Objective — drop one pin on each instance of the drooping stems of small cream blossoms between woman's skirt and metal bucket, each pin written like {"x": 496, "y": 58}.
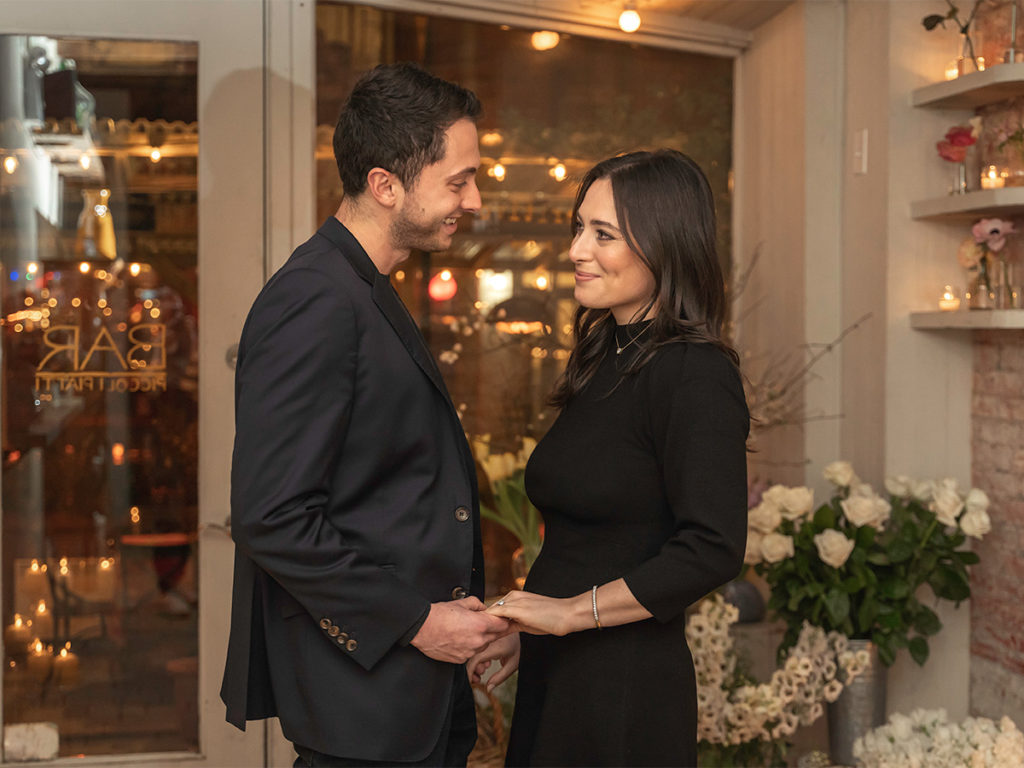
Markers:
{"x": 735, "y": 711}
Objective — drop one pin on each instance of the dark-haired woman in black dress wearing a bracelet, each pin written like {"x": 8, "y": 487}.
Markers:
{"x": 642, "y": 481}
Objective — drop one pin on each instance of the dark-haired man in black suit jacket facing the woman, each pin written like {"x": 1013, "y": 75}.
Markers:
{"x": 359, "y": 569}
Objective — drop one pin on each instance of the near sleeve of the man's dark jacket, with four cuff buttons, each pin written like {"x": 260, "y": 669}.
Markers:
{"x": 294, "y": 394}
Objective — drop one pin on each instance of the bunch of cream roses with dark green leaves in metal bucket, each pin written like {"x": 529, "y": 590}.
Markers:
{"x": 857, "y": 563}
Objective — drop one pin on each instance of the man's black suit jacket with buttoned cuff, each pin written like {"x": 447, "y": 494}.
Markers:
{"x": 354, "y": 507}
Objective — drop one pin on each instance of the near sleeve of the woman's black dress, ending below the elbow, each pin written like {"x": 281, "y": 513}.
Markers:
{"x": 699, "y": 423}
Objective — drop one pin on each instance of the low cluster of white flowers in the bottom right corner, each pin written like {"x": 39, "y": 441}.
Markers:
{"x": 926, "y": 740}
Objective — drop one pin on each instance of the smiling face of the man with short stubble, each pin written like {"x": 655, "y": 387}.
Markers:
{"x": 428, "y": 218}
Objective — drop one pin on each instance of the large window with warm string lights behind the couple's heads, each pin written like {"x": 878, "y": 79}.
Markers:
{"x": 497, "y": 308}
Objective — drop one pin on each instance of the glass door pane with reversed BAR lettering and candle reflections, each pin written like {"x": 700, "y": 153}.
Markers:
{"x": 99, "y": 234}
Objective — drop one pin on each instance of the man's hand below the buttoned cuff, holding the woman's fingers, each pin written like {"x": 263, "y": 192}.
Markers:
{"x": 457, "y": 630}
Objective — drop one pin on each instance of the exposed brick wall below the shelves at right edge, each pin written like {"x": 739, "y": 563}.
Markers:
{"x": 998, "y": 582}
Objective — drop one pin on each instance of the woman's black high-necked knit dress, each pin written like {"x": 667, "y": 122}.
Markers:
{"x": 647, "y": 481}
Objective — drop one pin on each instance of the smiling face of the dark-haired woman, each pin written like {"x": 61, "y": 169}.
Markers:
{"x": 609, "y": 275}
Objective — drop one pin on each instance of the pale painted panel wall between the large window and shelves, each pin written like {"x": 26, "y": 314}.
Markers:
{"x": 838, "y": 245}
